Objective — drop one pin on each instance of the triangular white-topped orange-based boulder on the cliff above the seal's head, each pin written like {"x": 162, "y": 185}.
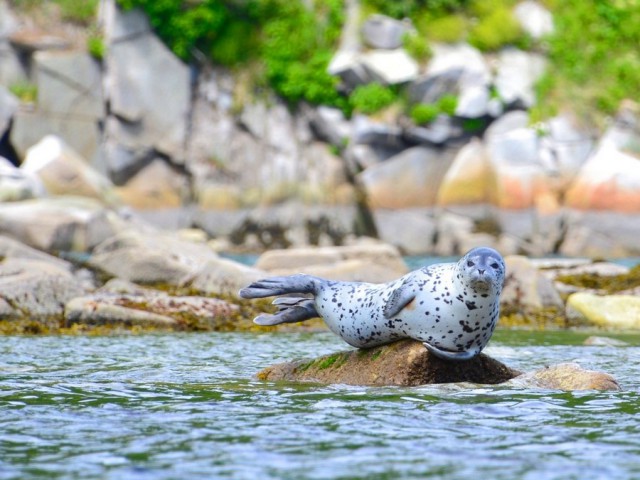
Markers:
{"x": 469, "y": 178}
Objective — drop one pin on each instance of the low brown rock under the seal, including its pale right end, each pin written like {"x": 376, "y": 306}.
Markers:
{"x": 407, "y": 363}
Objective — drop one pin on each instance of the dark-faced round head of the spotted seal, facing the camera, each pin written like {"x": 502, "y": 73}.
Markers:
{"x": 483, "y": 269}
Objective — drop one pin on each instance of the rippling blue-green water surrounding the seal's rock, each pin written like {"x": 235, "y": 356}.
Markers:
{"x": 187, "y": 406}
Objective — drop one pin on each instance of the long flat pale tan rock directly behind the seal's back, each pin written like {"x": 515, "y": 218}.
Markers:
{"x": 375, "y": 263}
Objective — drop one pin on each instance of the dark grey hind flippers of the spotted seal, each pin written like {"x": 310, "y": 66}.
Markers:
{"x": 290, "y": 309}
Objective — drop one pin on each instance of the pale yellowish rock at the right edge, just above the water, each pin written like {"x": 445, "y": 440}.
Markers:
{"x": 611, "y": 311}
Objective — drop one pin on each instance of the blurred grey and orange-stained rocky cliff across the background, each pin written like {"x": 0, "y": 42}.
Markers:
{"x": 186, "y": 145}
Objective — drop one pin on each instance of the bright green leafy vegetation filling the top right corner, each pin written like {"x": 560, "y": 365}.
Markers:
{"x": 594, "y": 58}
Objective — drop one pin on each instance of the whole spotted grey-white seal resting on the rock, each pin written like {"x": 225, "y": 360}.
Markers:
{"x": 452, "y": 308}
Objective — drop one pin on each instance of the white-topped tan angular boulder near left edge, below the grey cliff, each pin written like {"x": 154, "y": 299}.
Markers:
{"x": 64, "y": 172}
